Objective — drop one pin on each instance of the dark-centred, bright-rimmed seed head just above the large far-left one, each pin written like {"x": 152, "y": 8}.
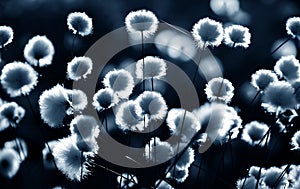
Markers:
{"x": 39, "y": 51}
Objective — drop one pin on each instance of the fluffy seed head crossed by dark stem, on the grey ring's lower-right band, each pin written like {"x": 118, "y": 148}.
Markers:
{"x": 183, "y": 124}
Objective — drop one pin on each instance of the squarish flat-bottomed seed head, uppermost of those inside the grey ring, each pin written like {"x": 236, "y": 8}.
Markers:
{"x": 154, "y": 67}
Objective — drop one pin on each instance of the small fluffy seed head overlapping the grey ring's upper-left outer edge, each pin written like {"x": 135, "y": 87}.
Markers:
{"x": 79, "y": 68}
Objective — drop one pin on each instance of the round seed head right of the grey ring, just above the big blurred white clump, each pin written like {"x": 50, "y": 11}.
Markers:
{"x": 219, "y": 89}
